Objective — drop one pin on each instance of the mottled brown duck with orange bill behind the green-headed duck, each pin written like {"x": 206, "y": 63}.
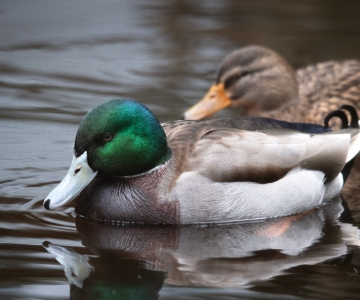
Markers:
{"x": 261, "y": 83}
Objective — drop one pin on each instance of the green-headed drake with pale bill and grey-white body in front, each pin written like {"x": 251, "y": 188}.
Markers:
{"x": 127, "y": 167}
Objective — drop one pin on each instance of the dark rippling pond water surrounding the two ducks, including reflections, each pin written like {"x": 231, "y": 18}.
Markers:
{"x": 60, "y": 59}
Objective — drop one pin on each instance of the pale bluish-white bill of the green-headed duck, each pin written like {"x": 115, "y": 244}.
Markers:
{"x": 76, "y": 179}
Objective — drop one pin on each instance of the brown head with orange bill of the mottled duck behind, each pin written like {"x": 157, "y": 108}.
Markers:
{"x": 253, "y": 78}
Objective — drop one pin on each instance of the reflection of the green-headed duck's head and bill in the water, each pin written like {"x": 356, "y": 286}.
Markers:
{"x": 113, "y": 276}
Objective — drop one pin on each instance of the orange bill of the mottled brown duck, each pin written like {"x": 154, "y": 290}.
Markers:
{"x": 214, "y": 101}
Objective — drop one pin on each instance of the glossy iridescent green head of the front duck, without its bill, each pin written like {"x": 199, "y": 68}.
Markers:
{"x": 121, "y": 137}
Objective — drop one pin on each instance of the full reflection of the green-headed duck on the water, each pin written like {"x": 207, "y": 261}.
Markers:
{"x": 133, "y": 262}
